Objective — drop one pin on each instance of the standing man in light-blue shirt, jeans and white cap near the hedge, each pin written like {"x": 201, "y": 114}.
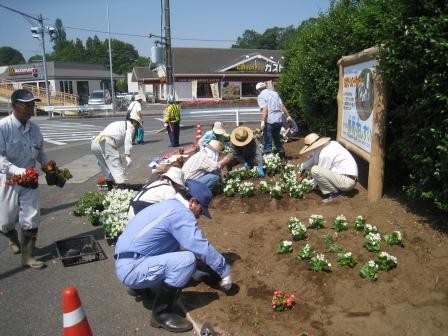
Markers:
{"x": 272, "y": 110}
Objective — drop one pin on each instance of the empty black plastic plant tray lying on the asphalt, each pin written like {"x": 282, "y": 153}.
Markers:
{"x": 79, "y": 250}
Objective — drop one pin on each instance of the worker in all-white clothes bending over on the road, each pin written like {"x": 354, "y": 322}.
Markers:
{"x": 105, "y": 147}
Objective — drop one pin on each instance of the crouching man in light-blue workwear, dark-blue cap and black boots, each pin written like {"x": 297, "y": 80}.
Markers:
{"x": 148, "y": 253}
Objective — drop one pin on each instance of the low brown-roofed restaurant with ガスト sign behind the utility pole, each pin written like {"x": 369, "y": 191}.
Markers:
{"x": 209, "y": 73}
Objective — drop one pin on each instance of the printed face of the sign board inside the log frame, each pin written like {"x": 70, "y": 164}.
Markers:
{"x": 357, "y": 104}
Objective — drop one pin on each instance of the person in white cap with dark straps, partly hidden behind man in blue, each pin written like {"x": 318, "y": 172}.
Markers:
{"x": 166, "y": 187}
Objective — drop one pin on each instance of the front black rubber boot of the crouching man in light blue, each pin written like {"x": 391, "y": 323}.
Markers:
{"x": 162, "y": 311}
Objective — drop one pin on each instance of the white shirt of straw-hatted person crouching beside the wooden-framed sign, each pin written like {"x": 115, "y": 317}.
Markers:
{"x": 336, "y": 158}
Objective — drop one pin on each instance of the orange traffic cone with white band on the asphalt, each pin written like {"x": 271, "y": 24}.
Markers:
{"x": 75, "y": 320}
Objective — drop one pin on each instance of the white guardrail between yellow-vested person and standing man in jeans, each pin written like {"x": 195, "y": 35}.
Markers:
{"x": 250, "y": 113}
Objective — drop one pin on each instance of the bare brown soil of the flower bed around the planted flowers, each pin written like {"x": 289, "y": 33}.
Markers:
{"x": 411, "y": 299}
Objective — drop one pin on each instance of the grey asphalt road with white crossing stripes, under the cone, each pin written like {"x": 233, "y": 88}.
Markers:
{"x": 31, "y": 300}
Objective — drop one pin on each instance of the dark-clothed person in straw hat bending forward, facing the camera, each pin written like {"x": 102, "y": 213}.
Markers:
{"x": 245, "y": 149}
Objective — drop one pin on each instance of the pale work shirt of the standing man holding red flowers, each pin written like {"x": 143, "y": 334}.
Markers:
{"x": 20, "y": 147}
